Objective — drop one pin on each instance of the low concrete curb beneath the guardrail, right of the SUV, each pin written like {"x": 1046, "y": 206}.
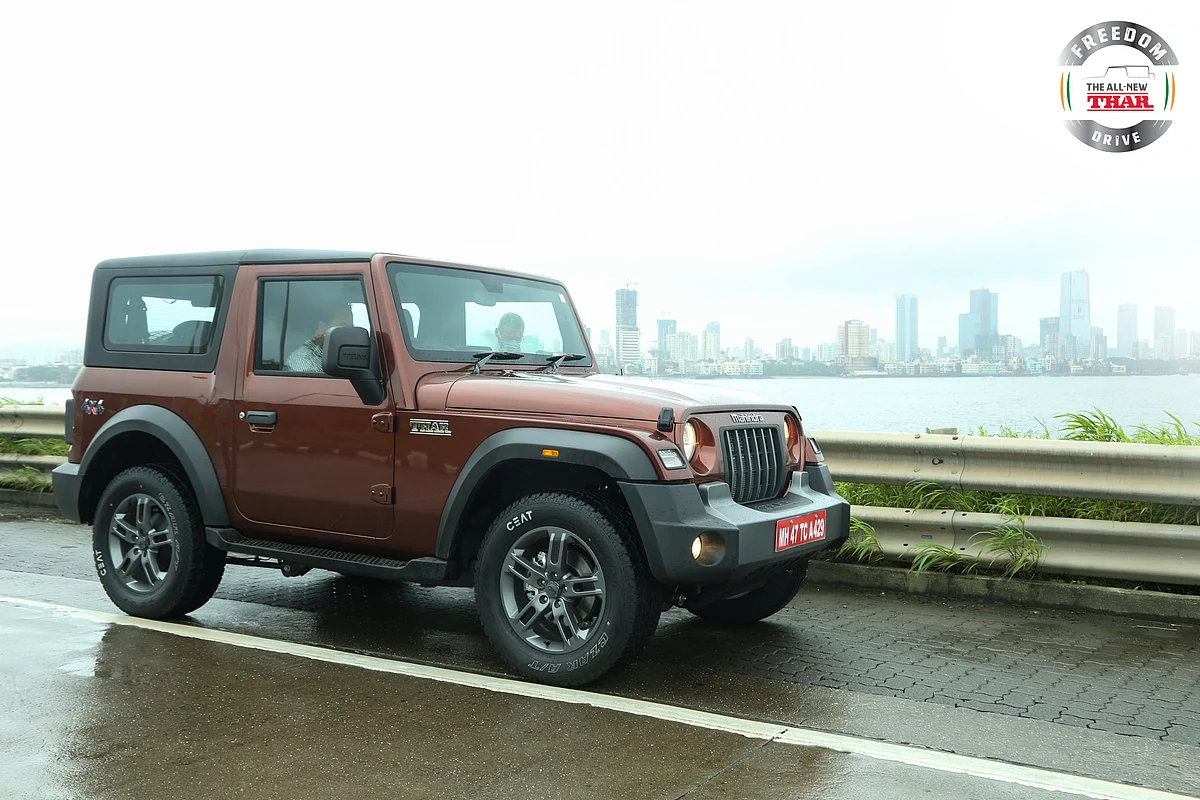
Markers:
{"x": 1040, "y": 594}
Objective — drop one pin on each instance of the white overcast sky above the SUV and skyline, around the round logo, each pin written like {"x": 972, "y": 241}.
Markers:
{"x": 778, "y": 167}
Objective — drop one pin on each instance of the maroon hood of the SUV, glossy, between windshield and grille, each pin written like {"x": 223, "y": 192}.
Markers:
{"x": 610, "y": 396}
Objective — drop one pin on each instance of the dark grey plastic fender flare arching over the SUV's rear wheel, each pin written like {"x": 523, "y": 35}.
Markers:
{"x": 179, "y": 437}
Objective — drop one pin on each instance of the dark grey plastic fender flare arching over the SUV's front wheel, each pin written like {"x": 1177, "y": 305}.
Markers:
{"x": 620, "y": 459}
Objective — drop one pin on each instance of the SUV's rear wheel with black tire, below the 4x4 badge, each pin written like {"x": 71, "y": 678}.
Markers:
{"x": 187, "y": 570}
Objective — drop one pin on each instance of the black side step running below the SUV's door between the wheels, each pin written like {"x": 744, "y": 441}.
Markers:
{"x": 423, "y": 570}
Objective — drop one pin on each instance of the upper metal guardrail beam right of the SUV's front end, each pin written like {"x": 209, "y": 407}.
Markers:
{"x": 1049, "y": 467}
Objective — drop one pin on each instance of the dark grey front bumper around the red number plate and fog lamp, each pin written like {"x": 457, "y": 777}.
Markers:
{"x": 671, "y": 516}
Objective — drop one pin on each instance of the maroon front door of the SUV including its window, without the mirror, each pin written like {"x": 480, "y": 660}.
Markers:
{"x": 310, "y": 461}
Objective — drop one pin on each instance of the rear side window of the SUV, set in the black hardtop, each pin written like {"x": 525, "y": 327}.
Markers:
{"x": 149, "y": 315}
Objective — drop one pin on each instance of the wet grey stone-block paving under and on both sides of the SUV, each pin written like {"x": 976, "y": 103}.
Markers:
{"x": 1129, "y": 677}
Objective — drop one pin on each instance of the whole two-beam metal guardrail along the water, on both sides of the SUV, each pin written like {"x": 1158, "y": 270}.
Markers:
{"x": 1057, "y": 468}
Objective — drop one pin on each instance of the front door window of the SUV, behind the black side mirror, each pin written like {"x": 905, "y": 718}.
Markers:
{"x": 295, "y": 315}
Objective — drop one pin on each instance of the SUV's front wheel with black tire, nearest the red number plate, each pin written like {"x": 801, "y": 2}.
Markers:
{"x": 601, "y": 555}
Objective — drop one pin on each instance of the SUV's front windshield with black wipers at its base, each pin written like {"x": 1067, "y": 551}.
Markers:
{"x": 451, "y": 315}
